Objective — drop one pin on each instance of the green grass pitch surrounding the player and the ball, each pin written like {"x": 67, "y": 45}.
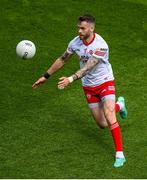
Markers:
{"x": 49, "y": 133}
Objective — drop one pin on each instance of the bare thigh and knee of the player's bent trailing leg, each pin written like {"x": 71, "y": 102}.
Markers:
{"x": 99, "y": 117}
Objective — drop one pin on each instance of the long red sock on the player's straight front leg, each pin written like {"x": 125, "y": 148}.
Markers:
{"x": 116, "y": 134}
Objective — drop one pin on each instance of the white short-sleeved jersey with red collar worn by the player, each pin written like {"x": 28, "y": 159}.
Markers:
{"x": 97, "y": 48}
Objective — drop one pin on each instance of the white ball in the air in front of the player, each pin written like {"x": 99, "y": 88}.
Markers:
{"x": 25, "y": 49}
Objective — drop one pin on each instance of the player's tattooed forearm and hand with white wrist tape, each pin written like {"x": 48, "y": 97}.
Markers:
{"x": 65, "y": 81}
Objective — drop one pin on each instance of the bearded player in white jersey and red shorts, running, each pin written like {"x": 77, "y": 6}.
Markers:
{"x": 97, "y": 80}
